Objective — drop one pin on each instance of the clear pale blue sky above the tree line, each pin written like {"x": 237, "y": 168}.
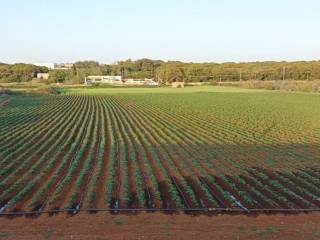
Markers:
{"x": 40, "y": 31}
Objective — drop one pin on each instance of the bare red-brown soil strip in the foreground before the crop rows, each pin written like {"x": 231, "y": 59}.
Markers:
{"x": 163, "y": 226}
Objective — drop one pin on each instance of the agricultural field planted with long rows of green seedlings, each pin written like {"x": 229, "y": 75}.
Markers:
{"x": 204, "y": 148}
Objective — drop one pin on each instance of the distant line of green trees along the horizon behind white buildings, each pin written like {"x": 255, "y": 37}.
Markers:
{"x": 171, "y": 71}
